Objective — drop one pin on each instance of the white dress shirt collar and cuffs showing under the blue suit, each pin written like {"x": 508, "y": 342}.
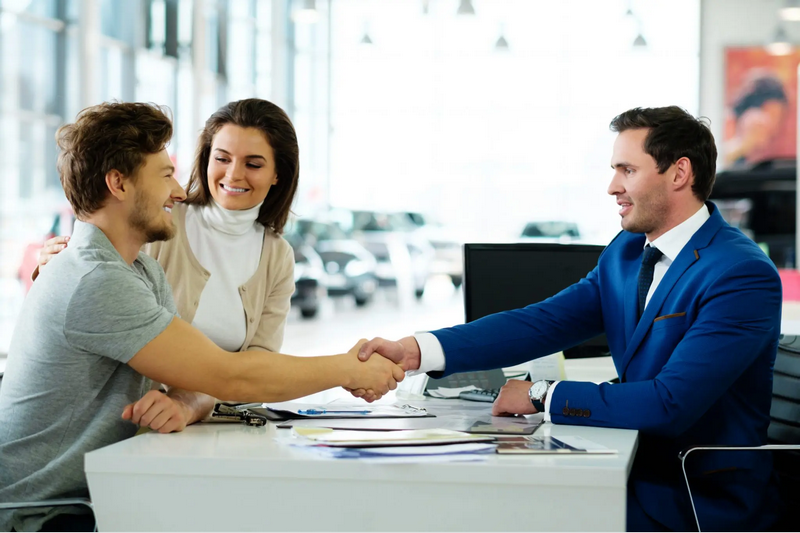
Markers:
{"x": 671, "y": 243}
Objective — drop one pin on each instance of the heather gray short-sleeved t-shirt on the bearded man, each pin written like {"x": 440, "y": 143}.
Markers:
{"x": 67, "y": 381}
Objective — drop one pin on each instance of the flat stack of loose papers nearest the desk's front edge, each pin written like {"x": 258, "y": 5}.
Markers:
{"x": 307, "y": 436}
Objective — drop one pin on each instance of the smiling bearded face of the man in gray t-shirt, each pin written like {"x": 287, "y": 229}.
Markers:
{"x": 156, "y": 191}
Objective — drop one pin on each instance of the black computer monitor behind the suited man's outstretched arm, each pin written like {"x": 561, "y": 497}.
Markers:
{"x": 501, "y": 277}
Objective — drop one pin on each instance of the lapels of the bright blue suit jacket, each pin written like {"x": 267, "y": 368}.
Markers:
{"x": 688, "y": 256}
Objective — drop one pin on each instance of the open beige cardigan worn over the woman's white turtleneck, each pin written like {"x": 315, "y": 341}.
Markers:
{"x": 265, "y": 296}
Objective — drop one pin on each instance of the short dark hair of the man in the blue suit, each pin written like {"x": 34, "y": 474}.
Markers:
{"x": 673, "y": 134}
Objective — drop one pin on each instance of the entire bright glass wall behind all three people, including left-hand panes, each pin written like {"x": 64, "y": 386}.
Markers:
{"x": 485, "y": 121}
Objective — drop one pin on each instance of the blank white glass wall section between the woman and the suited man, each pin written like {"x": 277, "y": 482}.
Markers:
{"x": 429, "y": 113}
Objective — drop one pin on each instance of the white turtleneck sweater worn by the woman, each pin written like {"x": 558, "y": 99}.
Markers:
{"x": 228, "y": 245}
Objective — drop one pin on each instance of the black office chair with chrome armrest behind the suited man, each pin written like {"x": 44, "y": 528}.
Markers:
{"x": 783, "y": 433}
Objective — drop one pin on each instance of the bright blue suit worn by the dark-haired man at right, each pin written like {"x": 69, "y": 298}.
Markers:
{"x": 696, "y": 369}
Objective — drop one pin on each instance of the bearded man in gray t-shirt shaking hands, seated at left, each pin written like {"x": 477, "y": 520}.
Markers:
{"x": 100, "y": 318}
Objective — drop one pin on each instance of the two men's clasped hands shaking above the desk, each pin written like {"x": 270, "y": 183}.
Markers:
{"x": 372, "y": 377}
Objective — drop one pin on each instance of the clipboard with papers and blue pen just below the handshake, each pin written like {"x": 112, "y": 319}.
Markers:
{"x": 294, "y": 410}
